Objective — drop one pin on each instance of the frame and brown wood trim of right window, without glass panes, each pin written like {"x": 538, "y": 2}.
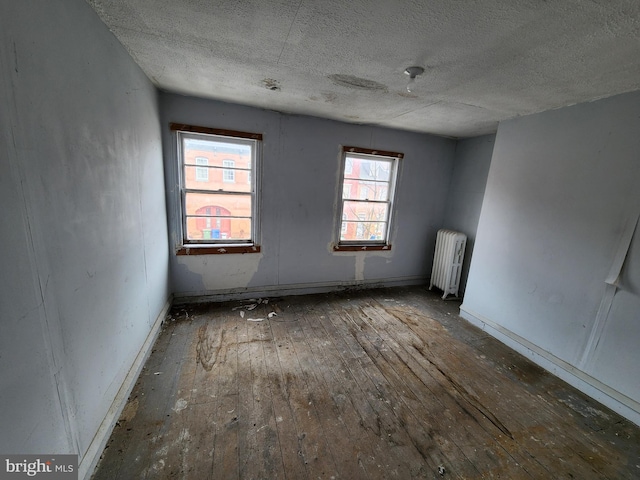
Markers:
{"x": 346, "y": 169}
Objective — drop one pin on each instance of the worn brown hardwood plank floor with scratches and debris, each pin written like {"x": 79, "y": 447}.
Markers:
{"x": 370, "y": 384}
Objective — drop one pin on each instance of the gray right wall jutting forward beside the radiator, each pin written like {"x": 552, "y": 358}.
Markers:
{"x": 562, "y": 193}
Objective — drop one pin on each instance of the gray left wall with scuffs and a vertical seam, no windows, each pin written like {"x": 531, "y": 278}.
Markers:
{"x": 83, "y": 230}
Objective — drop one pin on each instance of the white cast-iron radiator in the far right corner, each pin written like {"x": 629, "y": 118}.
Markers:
{"x": 447, "y": 261}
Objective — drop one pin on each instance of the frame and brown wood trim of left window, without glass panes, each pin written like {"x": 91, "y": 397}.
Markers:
{"x": 232, "y": 137}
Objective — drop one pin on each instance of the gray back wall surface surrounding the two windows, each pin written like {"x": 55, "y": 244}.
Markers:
{"x": 300, "y": 173}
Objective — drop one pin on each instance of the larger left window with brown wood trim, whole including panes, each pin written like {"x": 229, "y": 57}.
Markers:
{"x": 217, "y": 211}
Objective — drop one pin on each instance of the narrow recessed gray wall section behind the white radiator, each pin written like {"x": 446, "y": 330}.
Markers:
{"x": 470, "y": 171}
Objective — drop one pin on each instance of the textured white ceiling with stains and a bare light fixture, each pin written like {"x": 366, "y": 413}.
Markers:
{"x": 485, "y": 60}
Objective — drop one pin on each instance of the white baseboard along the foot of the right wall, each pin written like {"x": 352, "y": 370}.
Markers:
{"x": 594, "y": 388}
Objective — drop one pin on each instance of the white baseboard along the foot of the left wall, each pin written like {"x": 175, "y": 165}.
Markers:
{"x": 91, "y": 457}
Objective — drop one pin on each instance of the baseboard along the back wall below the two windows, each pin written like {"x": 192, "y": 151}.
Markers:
{"x": 293, "y": 289}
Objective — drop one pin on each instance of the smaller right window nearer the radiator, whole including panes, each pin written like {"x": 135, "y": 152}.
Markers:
{"x": 366, "y": 198}
